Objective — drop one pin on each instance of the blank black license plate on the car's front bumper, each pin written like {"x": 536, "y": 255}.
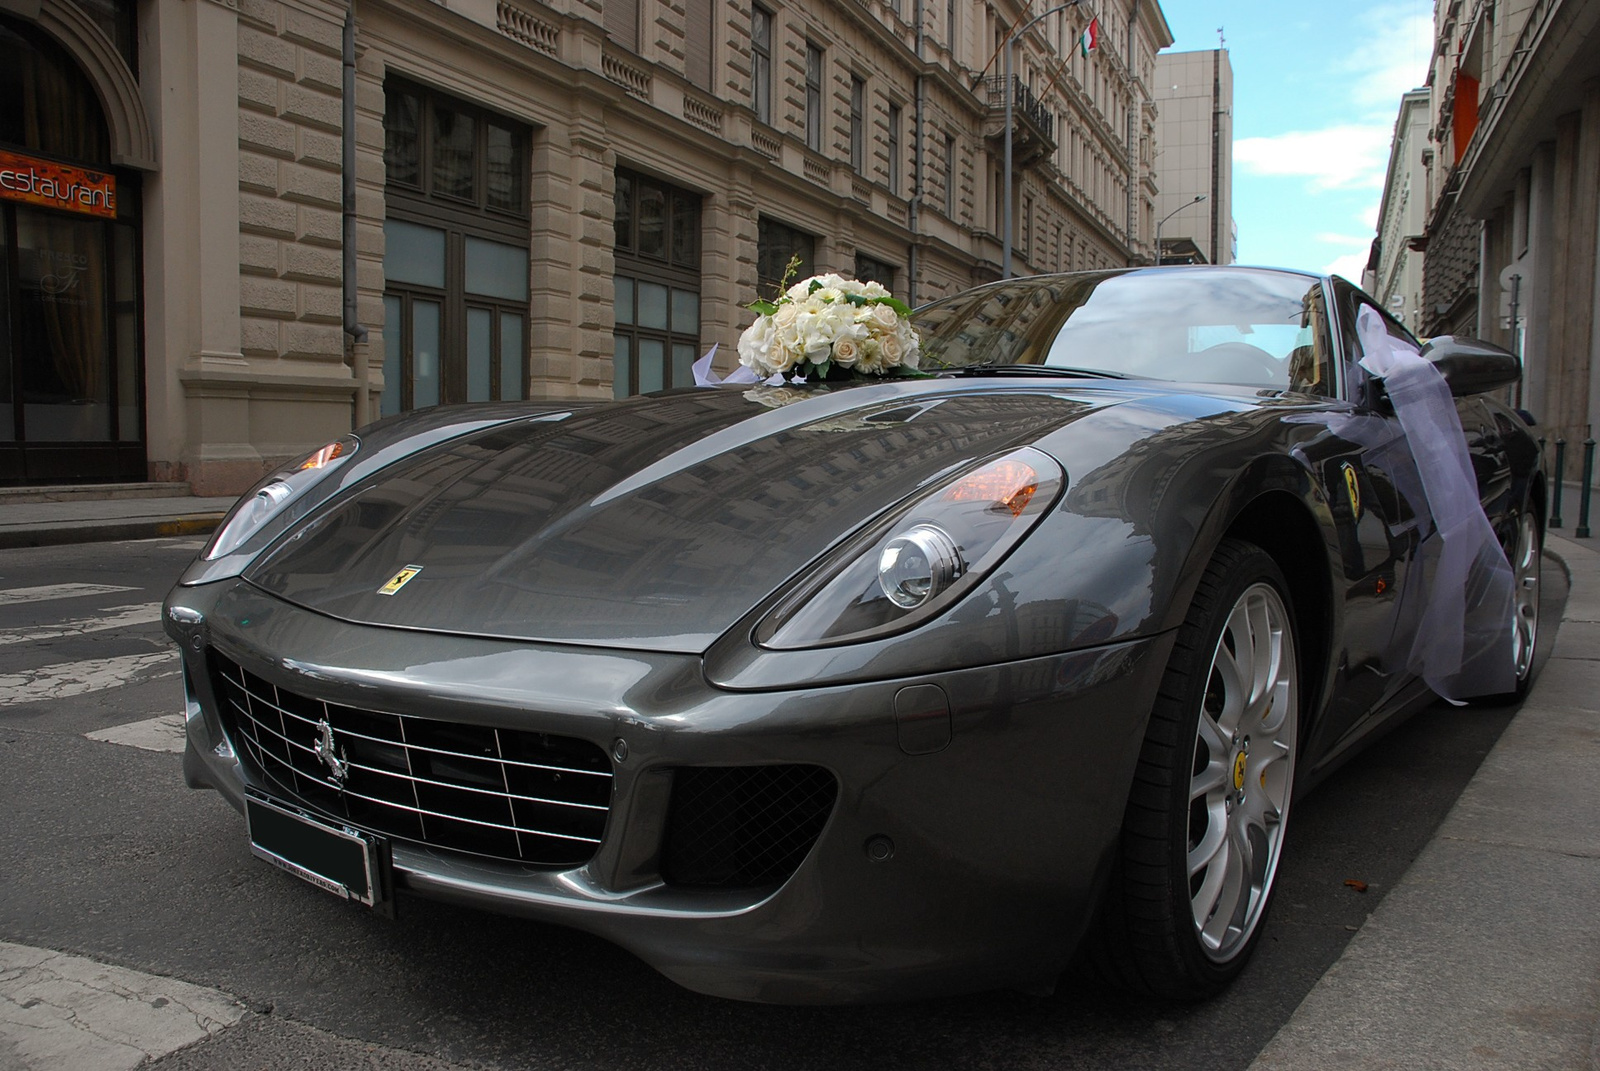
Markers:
{"x": 345, "y": 862}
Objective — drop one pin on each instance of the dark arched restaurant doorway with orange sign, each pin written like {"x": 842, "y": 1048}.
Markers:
{"x": 71, "y": 363}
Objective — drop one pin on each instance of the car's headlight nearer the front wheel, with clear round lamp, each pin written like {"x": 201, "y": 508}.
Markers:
{"x": 921, "y": 560}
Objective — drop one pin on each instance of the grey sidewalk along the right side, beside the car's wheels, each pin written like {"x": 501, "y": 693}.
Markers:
{"x": 1487, "y": 955}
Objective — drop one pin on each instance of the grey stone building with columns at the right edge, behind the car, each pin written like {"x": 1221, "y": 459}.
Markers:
{"x": 1514, "y": 199}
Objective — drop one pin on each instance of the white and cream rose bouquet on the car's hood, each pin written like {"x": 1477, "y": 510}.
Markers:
{"x": 830, "y": 327}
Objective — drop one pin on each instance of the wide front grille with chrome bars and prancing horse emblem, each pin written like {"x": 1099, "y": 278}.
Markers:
{"x": 510, "y": 795}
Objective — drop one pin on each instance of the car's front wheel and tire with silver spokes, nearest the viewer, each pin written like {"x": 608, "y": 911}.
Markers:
{"x": 1209, "y": 808}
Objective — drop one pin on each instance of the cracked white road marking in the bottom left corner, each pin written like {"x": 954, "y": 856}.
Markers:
{"x": 62, "y": 1011}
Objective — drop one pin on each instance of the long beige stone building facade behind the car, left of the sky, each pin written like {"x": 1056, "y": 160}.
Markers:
{"x": 567, "y": 199}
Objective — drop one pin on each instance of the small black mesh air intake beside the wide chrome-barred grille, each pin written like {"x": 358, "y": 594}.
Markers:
{"x": 745, "y": 827}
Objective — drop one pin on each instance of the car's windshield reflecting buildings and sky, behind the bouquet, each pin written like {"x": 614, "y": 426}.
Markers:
{"x": 1252, "y": 327}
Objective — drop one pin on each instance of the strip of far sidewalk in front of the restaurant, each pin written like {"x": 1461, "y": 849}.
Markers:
{"x": 92, "y": 518}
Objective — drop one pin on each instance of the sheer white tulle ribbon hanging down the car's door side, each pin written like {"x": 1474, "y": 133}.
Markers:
{"x": 1465, "y": 638}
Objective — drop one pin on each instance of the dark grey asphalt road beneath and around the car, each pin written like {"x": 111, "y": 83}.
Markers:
{"x": 105, "y": 854}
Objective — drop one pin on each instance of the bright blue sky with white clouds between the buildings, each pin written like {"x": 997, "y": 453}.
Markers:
{"x": 1316, "y": 92}
